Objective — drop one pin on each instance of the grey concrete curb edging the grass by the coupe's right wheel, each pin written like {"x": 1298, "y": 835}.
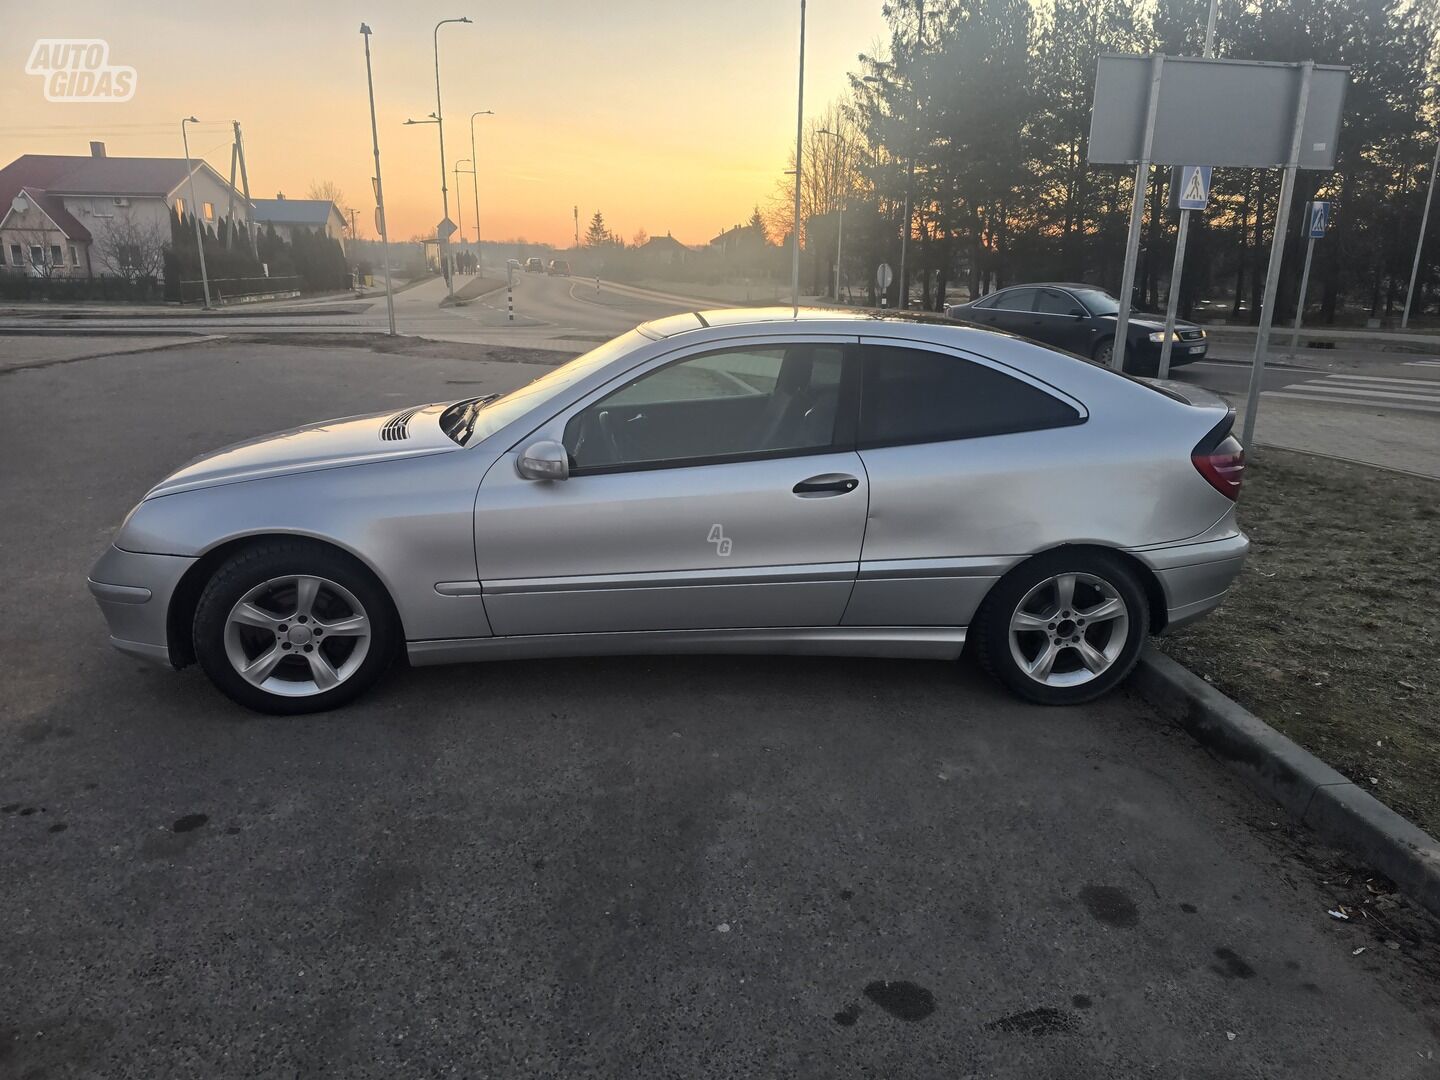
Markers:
{"x": 1278, "y": 768}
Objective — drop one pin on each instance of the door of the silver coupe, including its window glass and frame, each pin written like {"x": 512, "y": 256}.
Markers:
{"x": 718, "y": 489}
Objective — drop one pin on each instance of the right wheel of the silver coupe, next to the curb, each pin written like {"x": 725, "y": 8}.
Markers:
{"x": 1092, "y": 637}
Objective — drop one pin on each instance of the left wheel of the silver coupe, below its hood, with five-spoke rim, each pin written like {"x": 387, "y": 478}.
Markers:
{"x": 260, "y": 629}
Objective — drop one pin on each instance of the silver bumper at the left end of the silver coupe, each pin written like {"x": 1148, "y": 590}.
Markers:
{"x": 133, "y": 593}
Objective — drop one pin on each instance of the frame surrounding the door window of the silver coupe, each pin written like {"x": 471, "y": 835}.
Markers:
{"x": 847, "y": 417}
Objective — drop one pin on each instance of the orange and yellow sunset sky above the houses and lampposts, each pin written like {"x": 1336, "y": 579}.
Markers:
{"x": 665, "y": 116}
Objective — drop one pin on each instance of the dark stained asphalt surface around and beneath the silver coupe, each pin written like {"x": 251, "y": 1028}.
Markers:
{"x": 611, "y": 868}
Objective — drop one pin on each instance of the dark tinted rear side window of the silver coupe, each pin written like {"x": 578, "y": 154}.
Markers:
{"x": 914, "y": 395}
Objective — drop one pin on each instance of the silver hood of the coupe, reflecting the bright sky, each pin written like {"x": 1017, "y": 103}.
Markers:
{"x": 330, "y": 444}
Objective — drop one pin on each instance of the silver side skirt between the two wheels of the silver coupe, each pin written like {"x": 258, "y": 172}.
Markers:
{"x": 921, "y": 643}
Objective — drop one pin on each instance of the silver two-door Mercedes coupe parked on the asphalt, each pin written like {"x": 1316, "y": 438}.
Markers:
{"x": 725, "y": 482}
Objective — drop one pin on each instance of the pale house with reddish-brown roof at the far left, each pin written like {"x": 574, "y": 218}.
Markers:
{"x": 80, "y": 217}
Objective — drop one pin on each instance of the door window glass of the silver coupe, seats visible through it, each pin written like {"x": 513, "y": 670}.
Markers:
{"x": 731, "y": 404}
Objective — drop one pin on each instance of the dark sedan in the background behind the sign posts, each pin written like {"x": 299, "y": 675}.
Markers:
{"x": 1081, "y": 319}
